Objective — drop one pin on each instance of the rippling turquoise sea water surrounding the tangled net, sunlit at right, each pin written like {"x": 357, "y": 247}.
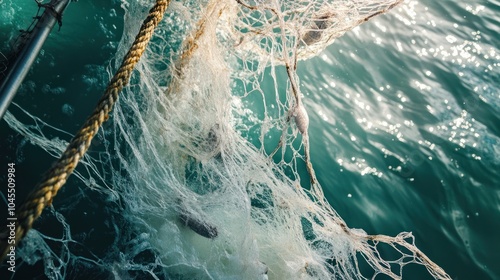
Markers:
{"x": 404, "y": 123}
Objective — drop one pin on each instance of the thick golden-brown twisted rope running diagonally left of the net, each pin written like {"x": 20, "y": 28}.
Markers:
{"x": 54, "y": 179}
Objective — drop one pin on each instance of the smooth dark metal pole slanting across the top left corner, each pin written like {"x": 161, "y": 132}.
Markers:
{"x": 25, "y": 59}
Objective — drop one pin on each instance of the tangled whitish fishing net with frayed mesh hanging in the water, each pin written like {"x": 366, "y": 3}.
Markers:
{"x": 207, "y": 153}
